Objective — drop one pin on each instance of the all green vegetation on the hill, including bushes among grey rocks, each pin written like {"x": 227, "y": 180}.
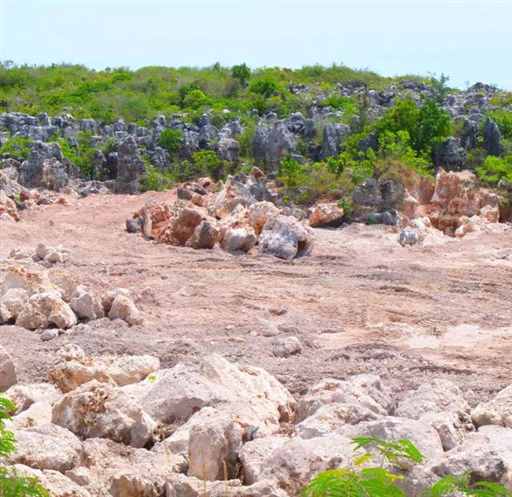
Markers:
{"x": 403, "y": 139}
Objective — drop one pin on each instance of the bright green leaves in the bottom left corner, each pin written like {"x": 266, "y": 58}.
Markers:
{"x": 11, "y": 483}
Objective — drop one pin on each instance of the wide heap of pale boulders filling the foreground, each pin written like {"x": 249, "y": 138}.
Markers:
{"x": 121, "y": 426}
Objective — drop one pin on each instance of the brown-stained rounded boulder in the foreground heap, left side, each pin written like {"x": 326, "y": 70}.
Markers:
{"x": 100, "y": 410}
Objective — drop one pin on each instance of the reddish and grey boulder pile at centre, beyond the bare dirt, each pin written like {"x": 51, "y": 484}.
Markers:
{"x": 238, "y": 218}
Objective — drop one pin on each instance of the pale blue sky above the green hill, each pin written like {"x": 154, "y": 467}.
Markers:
{"x": 470, "y": 40}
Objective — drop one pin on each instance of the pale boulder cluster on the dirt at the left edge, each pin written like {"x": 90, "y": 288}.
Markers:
{"x": 37, "y": 300}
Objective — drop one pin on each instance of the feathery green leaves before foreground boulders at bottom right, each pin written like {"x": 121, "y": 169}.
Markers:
{"x": 364, "y": 479}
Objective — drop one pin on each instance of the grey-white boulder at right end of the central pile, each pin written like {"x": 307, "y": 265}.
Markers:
{"x": 286, "y": 238}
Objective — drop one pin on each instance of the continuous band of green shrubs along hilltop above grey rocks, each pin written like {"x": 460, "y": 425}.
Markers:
{"x": 141, "y": 95}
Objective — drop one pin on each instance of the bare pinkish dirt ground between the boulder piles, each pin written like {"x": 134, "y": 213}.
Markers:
{"x": 360, "y": 303}
